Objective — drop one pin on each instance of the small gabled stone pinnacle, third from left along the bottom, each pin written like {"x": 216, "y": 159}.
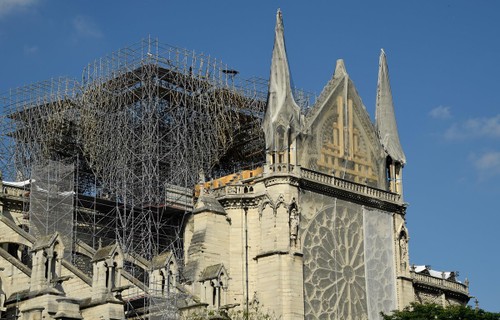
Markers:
{"x": 164, "y": 274}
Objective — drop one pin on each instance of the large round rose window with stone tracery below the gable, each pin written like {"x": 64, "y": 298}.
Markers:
{"x": 334, "y": 266}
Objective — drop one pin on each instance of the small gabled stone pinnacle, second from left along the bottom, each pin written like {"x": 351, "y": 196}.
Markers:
{"x": 107, "y": 267}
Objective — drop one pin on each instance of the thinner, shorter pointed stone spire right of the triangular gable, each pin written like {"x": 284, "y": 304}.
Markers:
{"x": 384, "y": 115}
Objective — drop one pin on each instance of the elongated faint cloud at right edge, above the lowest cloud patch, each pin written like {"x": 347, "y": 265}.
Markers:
{"x": 474, "y": 128}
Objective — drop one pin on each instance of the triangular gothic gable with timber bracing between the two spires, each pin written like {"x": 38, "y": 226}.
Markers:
{"x": 340, "y": 138}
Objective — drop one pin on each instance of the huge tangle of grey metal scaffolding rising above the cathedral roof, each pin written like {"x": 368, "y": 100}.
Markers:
{"x": 137, "y": 128}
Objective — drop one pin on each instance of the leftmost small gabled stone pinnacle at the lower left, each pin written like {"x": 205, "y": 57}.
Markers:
{"x": 47, "y": 254}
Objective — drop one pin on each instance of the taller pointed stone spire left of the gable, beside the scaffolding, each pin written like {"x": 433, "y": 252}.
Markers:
{"x": 281, "y": 108}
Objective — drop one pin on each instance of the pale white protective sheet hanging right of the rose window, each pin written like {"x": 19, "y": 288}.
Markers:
{"x": 379, "y": 262}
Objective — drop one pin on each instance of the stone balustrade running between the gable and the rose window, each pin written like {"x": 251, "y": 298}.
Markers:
{"x": 348, "y": 185}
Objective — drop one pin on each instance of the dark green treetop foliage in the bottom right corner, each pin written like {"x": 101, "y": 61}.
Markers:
{"x": 418, "y": 311}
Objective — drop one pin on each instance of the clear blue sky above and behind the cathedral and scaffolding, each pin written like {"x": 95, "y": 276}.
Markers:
{"x": 444, "y": 64}
